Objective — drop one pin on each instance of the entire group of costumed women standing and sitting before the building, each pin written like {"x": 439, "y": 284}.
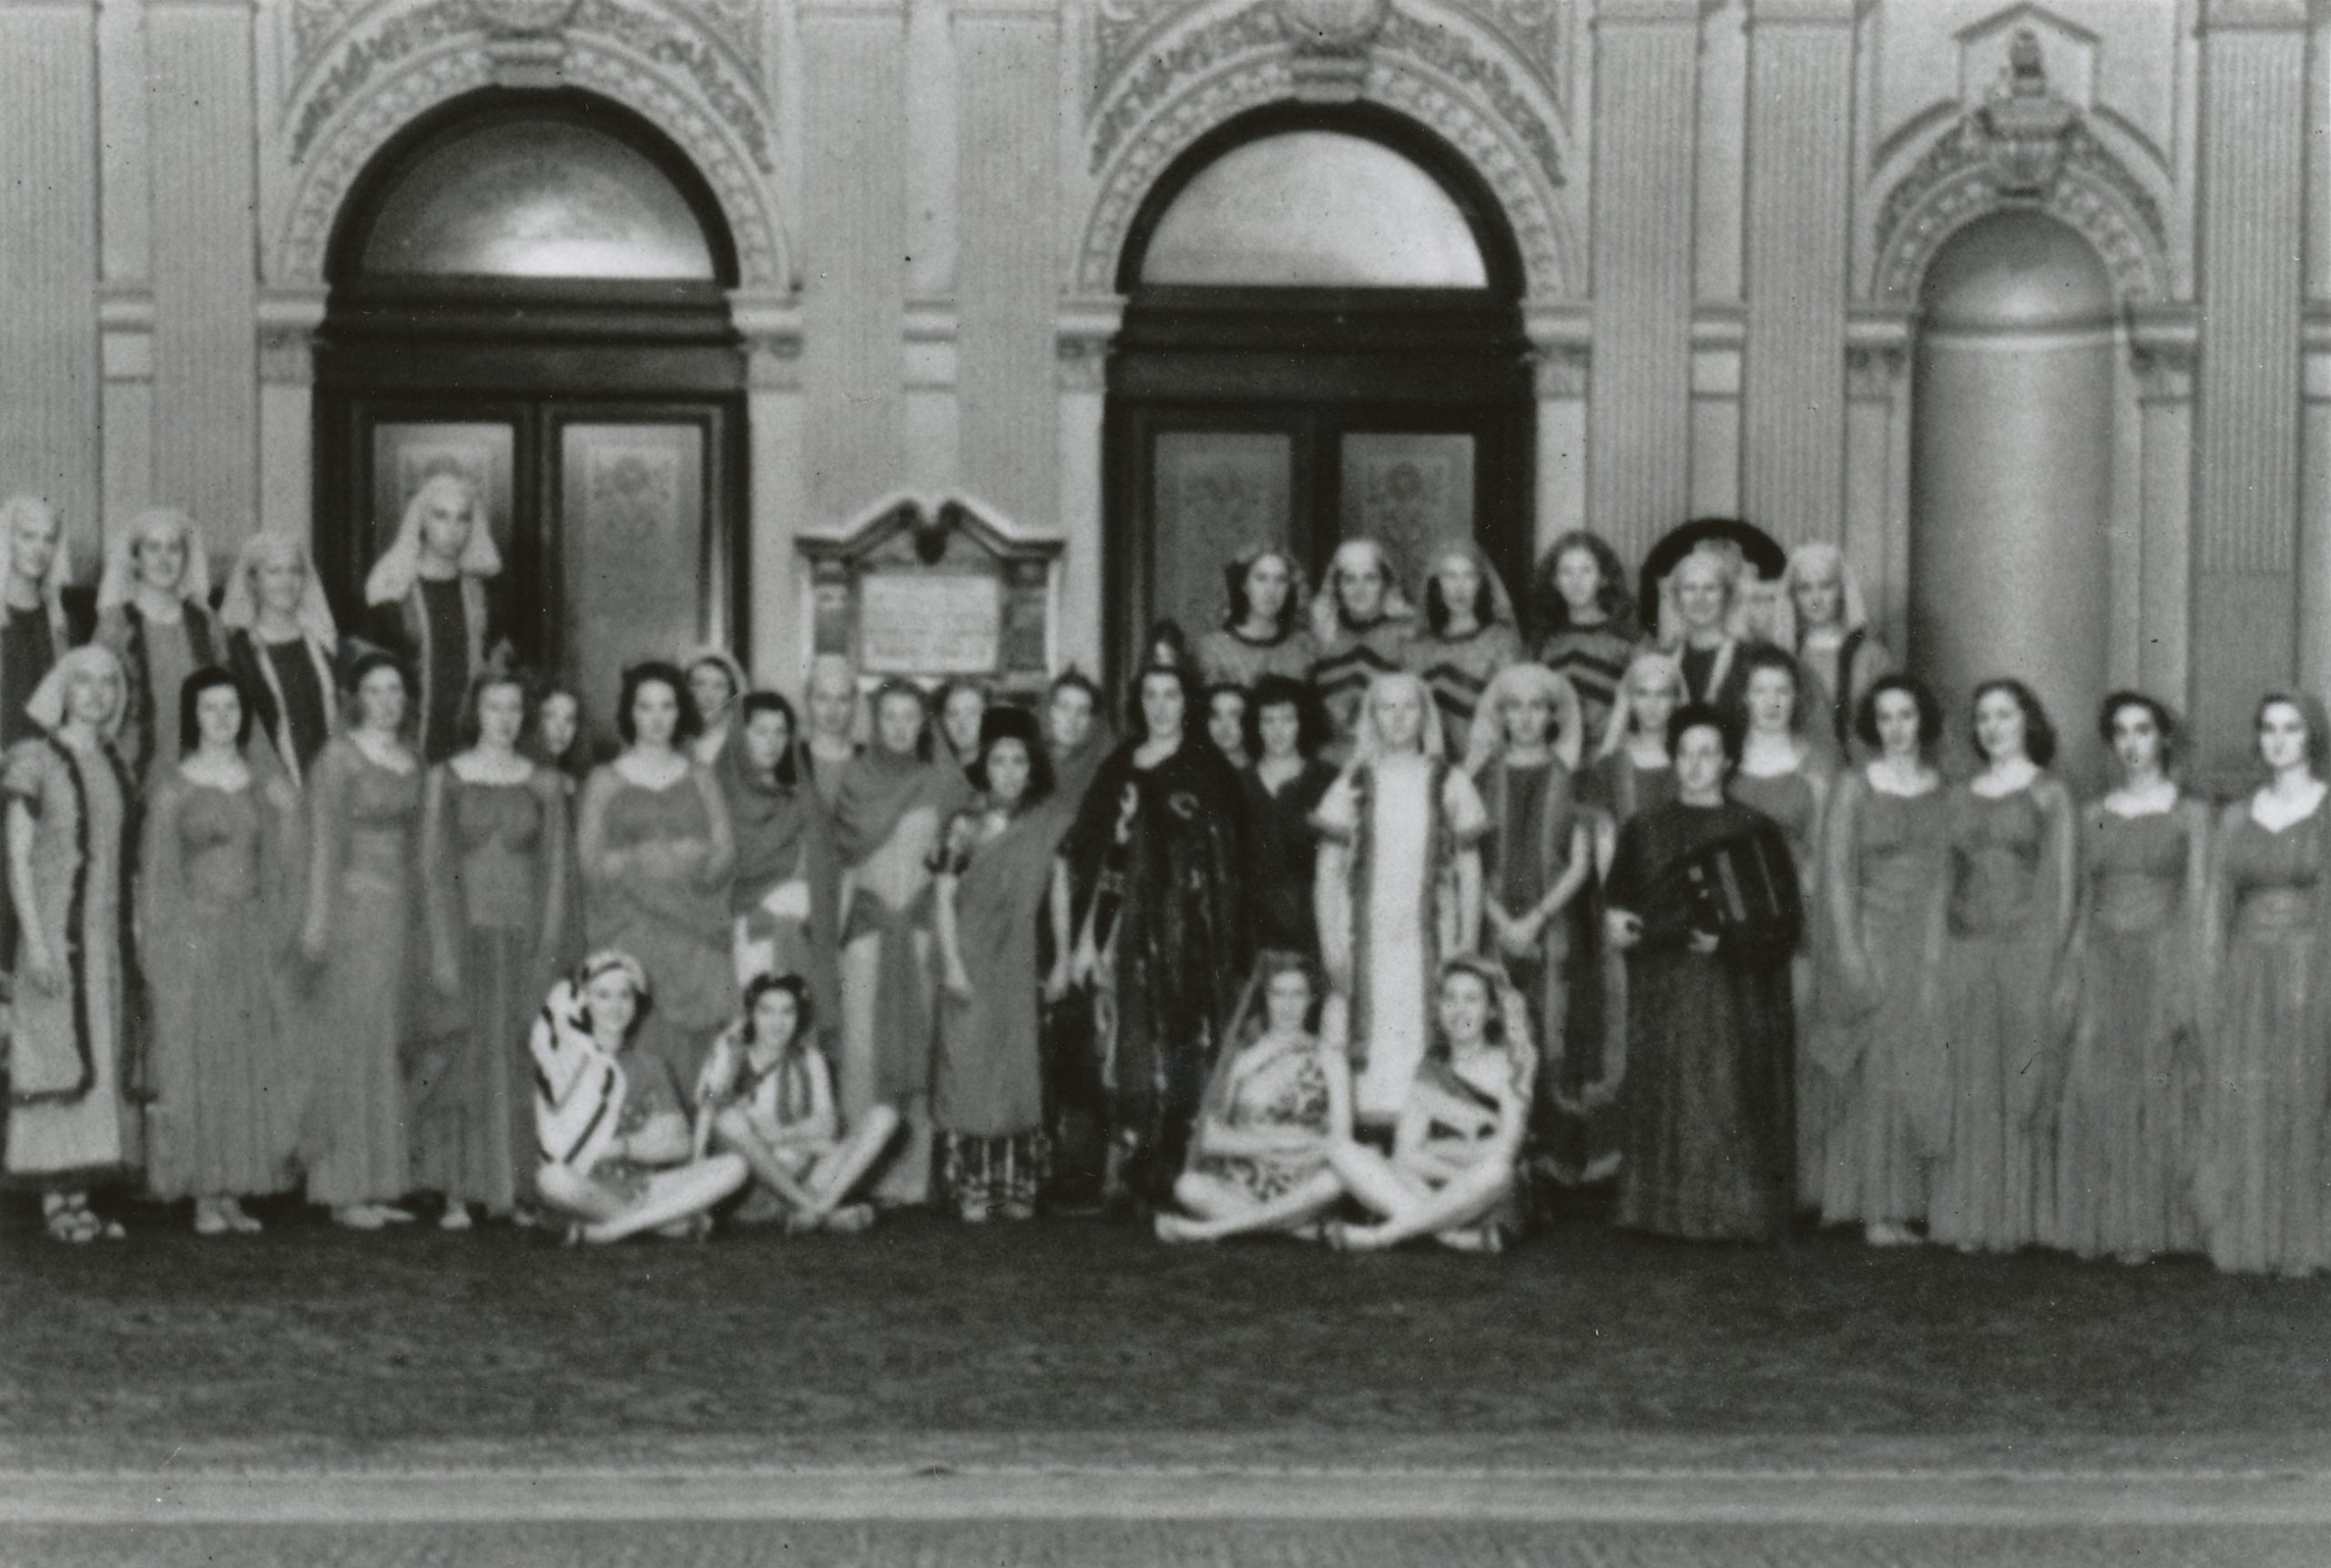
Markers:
{"x": 1374, "y": 926}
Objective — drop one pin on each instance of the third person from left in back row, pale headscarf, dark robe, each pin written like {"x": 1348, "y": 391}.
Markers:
{"x": 283, "y": 647}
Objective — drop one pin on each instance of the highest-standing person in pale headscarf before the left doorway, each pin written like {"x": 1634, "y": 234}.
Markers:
{"x": 428, "y": 605}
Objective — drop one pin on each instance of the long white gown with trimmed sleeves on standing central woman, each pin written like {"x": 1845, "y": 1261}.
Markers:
{"x": 1404, "y": 821}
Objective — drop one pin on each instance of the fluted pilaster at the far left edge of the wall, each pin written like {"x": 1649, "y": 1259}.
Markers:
{"x": 50, "y": 260}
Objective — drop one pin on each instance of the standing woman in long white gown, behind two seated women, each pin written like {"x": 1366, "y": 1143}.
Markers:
{"x": 1397, "y": 887}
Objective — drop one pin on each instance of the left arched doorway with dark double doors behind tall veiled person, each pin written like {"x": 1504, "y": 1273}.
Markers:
{"x": 533, "y": 290}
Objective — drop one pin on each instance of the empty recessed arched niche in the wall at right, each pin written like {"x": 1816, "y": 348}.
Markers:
{"x": 2013, "y": 467}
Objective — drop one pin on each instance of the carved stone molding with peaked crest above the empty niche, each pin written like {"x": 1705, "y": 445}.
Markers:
{"x": 2034, "y": 150}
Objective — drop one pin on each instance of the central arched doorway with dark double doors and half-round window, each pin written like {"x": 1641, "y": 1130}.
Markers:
{"x": 1323, "y": 339}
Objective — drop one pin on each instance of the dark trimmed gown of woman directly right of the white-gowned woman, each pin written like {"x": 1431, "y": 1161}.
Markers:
{"x": 1533, "y": 819}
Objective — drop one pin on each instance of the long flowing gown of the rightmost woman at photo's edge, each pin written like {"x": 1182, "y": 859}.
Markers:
{"x": 2265, "y": 1168}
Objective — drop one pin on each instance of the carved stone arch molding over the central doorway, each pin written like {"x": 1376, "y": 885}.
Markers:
{"x": 1246, "y": 59}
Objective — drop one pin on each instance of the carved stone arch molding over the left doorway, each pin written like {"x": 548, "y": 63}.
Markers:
{"x": 442, "y": 50}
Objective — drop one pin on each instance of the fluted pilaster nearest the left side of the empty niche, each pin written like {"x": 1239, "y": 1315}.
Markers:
{"x": 1794, "y": 430}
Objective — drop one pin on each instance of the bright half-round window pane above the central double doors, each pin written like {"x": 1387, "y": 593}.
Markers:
{"x": 1314, "y": 209}
